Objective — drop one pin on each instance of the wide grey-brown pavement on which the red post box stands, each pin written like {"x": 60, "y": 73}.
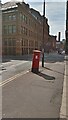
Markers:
{"x": 35, "y": 95}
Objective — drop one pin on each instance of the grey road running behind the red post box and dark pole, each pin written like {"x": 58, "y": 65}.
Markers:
{"x": 17, "y": 65}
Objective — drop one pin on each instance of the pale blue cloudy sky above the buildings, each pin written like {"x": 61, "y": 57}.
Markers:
{"x": 55, "y": 11}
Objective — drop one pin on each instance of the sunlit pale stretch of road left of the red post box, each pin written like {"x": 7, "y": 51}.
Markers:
{"x": 14, "y": 67}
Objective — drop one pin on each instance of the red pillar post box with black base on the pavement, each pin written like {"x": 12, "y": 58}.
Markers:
{"x": 35, "y": 61}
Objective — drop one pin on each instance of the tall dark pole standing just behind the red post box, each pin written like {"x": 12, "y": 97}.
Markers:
{"x": 43, "y": 34}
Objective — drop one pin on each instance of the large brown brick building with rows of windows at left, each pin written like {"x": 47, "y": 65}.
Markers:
{"x": 22, "y": 29}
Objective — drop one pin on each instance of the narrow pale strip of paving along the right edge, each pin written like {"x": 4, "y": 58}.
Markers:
{"x": 64, "y": 105}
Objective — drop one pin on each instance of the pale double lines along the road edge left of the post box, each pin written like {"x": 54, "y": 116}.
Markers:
{"x": 12, "y": 78}
